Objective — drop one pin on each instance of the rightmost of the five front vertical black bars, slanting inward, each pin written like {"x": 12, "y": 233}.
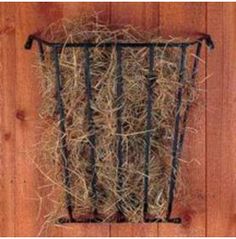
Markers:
{"x": 172, "y": 180}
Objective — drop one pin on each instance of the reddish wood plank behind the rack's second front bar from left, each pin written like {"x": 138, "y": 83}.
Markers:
{"x": 72, "y": 10}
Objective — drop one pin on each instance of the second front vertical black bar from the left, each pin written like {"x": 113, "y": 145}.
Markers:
{"x": 91, "y": 127}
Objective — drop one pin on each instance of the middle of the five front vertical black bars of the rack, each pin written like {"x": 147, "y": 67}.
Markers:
{"x": 119, "y": 130}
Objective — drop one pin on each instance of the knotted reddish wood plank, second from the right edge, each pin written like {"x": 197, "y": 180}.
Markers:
{"x": 186, "y": 19}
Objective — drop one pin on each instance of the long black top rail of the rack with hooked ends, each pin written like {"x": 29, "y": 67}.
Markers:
{"x": 205, "y": 38}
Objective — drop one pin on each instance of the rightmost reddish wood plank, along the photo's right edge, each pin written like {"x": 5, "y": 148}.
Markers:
{"x": 221, "y": 126}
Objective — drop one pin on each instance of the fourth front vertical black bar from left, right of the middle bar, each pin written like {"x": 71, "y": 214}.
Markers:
{"x": 147, "y": 147}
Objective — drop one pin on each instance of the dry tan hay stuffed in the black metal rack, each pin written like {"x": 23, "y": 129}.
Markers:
{"x": 103, "y": 71}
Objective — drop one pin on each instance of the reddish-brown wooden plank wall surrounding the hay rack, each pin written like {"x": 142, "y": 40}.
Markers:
{"x": 211, "y": 209}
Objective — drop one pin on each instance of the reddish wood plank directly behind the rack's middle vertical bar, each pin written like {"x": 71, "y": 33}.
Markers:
{"x": 143, "y": 16}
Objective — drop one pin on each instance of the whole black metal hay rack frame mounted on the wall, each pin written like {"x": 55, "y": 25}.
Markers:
{"x": 178, "y": 136}
